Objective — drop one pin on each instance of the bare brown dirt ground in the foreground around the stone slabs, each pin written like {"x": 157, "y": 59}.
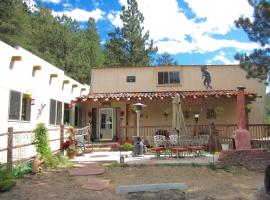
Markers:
{"x": 203, "y": 183}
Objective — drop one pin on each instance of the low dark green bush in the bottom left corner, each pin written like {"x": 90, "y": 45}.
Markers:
{"x": 7, "y": 180}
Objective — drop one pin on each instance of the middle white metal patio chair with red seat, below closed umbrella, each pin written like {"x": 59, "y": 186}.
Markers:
{"x": 177, "y": 146}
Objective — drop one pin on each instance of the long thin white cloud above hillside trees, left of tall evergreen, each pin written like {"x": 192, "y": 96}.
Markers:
{"x": 81, "y": 15}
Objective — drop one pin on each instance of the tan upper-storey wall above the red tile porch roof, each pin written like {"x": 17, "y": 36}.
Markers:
{"x": 223, "y": 78}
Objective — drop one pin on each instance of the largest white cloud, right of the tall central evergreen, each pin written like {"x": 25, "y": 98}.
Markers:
{"x": 169, "y": 26}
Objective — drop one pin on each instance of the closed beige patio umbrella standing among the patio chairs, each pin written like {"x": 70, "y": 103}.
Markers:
{"x": 178, "y": 121}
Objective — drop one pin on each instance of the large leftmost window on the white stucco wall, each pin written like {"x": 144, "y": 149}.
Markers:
{"x": 19, "y": 106}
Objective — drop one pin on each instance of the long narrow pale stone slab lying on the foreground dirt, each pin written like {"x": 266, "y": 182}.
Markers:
{"x": 150, "y": 187}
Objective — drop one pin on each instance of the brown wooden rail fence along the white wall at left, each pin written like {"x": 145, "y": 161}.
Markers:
{"x": 20, "y": 145}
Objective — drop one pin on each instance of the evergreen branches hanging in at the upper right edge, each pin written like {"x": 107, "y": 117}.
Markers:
{"x": 257, "y": 63}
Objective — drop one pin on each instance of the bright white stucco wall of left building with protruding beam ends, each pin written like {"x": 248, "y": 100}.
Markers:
{"x": 20, "y": 77}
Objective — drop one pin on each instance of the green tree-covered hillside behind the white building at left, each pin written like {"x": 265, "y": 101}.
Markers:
{"x": 58, "y": 40}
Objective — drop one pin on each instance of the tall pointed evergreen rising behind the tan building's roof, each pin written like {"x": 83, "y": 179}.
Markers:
{"x": 128, "y": 46}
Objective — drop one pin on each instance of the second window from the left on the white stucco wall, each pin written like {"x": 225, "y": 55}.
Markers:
{"x": 55, "y": 112}
